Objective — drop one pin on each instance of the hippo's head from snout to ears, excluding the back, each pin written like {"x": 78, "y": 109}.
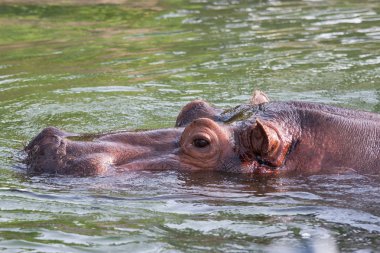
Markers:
{"x": 204, "y": 138}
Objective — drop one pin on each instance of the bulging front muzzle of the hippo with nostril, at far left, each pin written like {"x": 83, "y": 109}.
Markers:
{"x": 52, "y": 151}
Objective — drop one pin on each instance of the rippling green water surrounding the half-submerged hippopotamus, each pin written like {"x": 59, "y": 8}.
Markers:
{"x": 99, "y": 68}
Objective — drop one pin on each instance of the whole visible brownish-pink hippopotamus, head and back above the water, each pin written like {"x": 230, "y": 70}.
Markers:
{"x": 260, "y": 138}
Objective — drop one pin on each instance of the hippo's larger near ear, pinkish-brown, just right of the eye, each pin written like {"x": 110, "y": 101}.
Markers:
{"x": 268, "y": 141}
